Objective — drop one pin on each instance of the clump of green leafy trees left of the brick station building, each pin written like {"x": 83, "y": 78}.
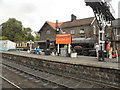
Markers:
{"x": 14, "y": 31}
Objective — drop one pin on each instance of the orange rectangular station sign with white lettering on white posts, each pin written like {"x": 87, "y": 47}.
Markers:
{"x": 63, "y": 39}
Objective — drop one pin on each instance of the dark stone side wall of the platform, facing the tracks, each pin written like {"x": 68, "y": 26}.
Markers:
{"x": 99, "y": 74}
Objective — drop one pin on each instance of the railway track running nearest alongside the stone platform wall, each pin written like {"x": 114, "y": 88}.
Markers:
{"x": 62, "y": 81}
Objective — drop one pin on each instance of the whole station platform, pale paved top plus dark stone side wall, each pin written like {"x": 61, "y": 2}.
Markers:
{"x": 81, "y": 68}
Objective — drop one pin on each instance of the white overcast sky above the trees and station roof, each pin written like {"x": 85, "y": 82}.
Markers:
{"x": 34, "y": 13}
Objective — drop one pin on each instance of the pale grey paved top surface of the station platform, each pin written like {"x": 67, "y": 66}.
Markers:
{"x": 82, "y": 60}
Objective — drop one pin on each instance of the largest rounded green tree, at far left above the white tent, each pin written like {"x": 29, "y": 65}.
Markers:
{"x": 12, "y": 28}
